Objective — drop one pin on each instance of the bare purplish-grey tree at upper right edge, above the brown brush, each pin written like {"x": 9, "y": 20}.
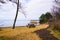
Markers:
{"x": 56, "y": 9}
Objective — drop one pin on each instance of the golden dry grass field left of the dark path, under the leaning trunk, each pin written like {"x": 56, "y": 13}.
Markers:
{"x": 21, "y": 33}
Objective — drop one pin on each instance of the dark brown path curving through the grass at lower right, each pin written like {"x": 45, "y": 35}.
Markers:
{"x": 45, "y": 34}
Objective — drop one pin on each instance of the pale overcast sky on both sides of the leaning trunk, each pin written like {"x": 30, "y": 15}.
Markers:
{"x": 32, "y": 8}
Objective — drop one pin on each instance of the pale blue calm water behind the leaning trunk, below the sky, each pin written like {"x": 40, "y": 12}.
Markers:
{"x": 10, "y": 23}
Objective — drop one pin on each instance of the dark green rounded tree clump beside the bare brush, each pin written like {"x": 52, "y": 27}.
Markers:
{"x": 45, "y": 17}
